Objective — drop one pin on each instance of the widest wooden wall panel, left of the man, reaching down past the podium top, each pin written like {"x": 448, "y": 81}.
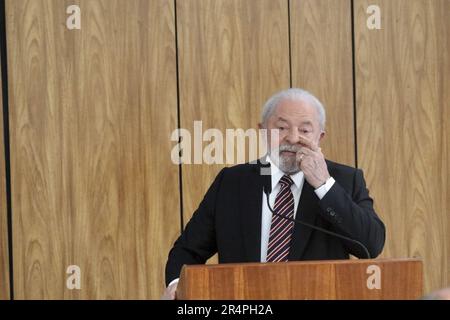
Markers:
{"x": 91, "y": 114}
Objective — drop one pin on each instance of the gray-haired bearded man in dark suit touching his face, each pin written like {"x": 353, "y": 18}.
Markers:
{"x": 234, "y": 218}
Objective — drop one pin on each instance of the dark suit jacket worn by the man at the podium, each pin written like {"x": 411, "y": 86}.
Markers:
{"x": 228, "y": 220}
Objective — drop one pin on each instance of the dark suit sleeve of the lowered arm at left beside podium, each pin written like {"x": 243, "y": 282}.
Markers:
{"x": 197, "y": 243}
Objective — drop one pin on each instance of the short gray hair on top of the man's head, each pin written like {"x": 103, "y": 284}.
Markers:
{"x": 294, "y": 94}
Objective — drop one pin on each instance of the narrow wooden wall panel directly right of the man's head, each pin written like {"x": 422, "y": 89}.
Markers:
{"x": 321, "y": 48}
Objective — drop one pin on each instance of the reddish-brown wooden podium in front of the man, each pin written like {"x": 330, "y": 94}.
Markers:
{"x": 336, "y": 279}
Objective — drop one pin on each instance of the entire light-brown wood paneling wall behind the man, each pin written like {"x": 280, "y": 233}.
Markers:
{"x": 92, "y": 112}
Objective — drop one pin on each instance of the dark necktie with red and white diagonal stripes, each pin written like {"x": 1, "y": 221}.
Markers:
{"x": 281, "y": 229}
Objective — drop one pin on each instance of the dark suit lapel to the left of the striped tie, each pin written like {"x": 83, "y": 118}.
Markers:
{"x": 251, "y": 204}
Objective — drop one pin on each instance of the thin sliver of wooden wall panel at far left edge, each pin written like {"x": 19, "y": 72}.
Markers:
{"x": 4, "y": 251}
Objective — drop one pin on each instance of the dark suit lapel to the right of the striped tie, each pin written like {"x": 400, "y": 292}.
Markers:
{"x": 306, "y": 211}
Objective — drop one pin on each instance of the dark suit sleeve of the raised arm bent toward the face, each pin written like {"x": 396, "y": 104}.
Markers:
{"x": 353, "y": 215}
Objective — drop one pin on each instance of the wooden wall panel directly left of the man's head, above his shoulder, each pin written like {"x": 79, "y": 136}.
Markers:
{"x": 233, "y": 55}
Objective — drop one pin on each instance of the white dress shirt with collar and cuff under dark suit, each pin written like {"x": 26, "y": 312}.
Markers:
{"x": 296, "y": 188}
